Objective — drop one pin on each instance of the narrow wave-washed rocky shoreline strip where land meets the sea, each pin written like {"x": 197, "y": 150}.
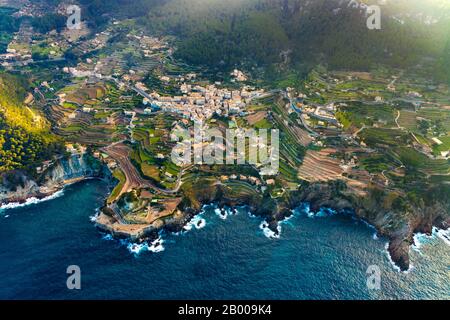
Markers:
{"x": 270, "y": 224}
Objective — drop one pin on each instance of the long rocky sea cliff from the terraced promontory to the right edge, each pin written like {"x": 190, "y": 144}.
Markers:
{"x": 395, "y": 217}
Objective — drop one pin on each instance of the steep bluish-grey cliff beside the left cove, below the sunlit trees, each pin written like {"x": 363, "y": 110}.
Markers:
{"x": 18, "y": 186}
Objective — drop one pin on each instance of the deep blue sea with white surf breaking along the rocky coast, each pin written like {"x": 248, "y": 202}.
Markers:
{"x": 220, "y": 257}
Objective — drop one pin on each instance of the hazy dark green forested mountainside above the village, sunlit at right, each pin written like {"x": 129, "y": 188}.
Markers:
{"x": 230, "y": 32}
